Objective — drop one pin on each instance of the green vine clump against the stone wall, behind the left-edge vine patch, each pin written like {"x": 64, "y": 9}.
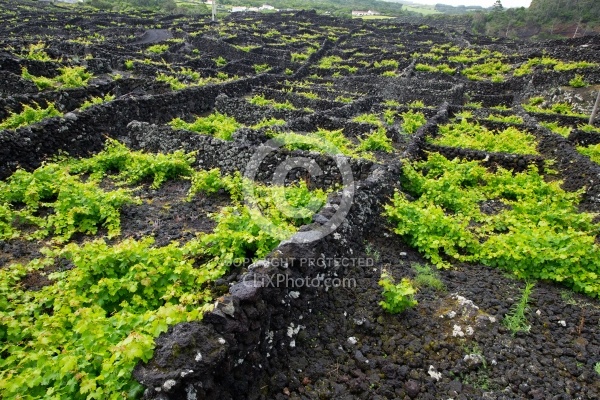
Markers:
{"x": 135, "y": 166}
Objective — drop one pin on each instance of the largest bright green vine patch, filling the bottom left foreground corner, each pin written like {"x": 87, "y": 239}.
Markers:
{"x": 104, "y": 315}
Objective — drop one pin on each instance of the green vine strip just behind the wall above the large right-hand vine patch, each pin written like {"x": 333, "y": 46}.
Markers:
{"x": 475, "y": 136}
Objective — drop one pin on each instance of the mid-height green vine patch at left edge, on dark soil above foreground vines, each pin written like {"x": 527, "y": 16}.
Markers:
{"x": 78, "y": 206}
